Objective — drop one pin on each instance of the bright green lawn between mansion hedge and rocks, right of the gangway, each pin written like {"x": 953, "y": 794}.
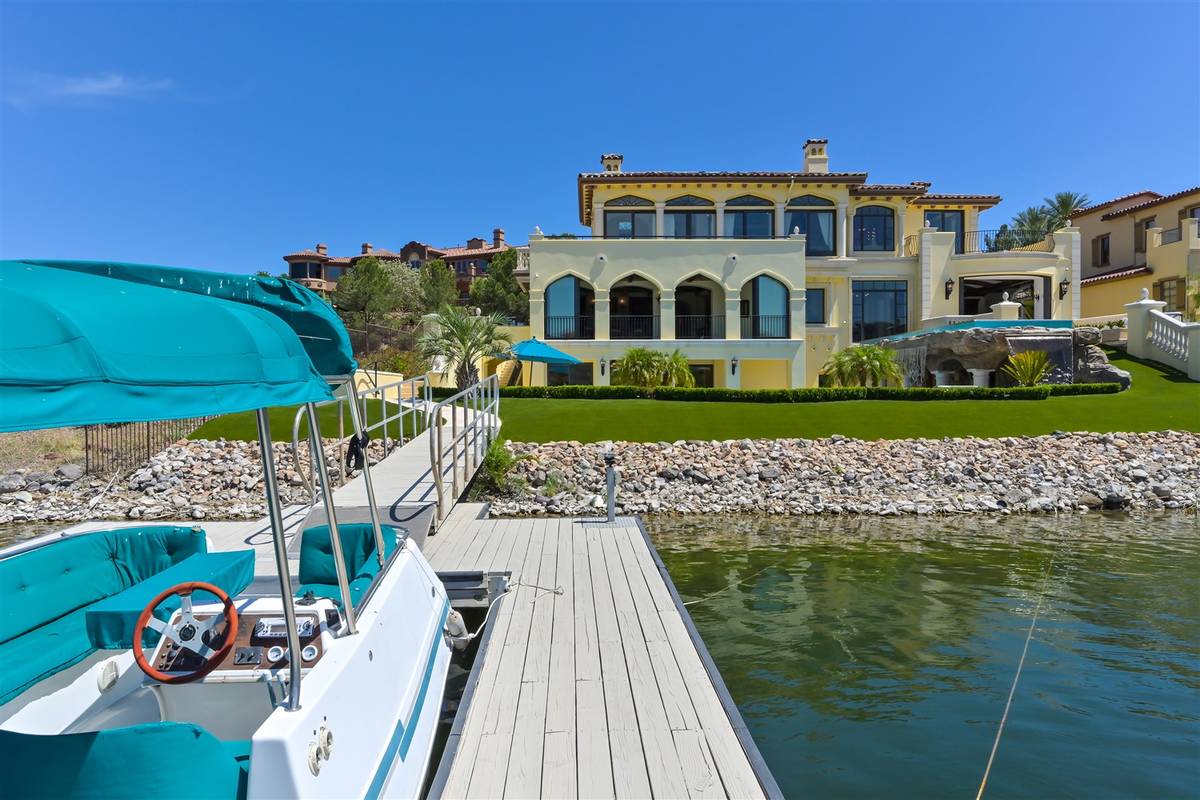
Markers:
{"x": 1159, "y": 400}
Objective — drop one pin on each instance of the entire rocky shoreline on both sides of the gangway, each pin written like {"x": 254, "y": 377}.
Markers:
{"x": 1061, "y": 473}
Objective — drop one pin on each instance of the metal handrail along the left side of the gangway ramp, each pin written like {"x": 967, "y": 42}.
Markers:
{"x": 397, "y": 416}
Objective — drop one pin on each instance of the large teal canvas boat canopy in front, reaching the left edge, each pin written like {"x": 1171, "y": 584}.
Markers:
{"x": 79, "y": 347}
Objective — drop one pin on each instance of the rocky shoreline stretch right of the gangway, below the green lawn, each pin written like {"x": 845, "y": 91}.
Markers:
{"x": 1059, "y": 473}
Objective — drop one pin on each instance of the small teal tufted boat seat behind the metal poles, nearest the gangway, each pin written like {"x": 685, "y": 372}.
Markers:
{"x": 317, "y": 573}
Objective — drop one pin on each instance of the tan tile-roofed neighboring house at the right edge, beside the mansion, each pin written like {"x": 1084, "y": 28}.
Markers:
{"x": 1141, "y": 242}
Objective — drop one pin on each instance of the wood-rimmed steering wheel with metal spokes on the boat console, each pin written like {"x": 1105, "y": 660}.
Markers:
{"x": 188, "y": 633}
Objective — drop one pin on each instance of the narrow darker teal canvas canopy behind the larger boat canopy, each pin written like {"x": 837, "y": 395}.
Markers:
{"x": 319, "y": 327}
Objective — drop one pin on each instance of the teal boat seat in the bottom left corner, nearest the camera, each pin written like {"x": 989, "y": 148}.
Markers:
{"x": 176, "y": 760}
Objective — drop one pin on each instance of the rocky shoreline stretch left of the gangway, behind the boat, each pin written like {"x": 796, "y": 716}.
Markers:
{"x": 189, "y": 480}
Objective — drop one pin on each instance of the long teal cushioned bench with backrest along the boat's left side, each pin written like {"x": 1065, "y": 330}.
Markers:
{"x": 46, "y": 593}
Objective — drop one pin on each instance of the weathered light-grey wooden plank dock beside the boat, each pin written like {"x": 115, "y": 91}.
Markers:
{"x": 593, "y": 683}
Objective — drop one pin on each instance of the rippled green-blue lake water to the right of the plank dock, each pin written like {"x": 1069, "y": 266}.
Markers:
{"x": 873, "y": 658}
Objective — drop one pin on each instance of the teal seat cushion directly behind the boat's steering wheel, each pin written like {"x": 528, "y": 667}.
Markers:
{"x": 111, "y": 621}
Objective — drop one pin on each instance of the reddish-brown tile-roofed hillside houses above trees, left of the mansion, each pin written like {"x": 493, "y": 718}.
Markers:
{"x": 320, "y": 272}
